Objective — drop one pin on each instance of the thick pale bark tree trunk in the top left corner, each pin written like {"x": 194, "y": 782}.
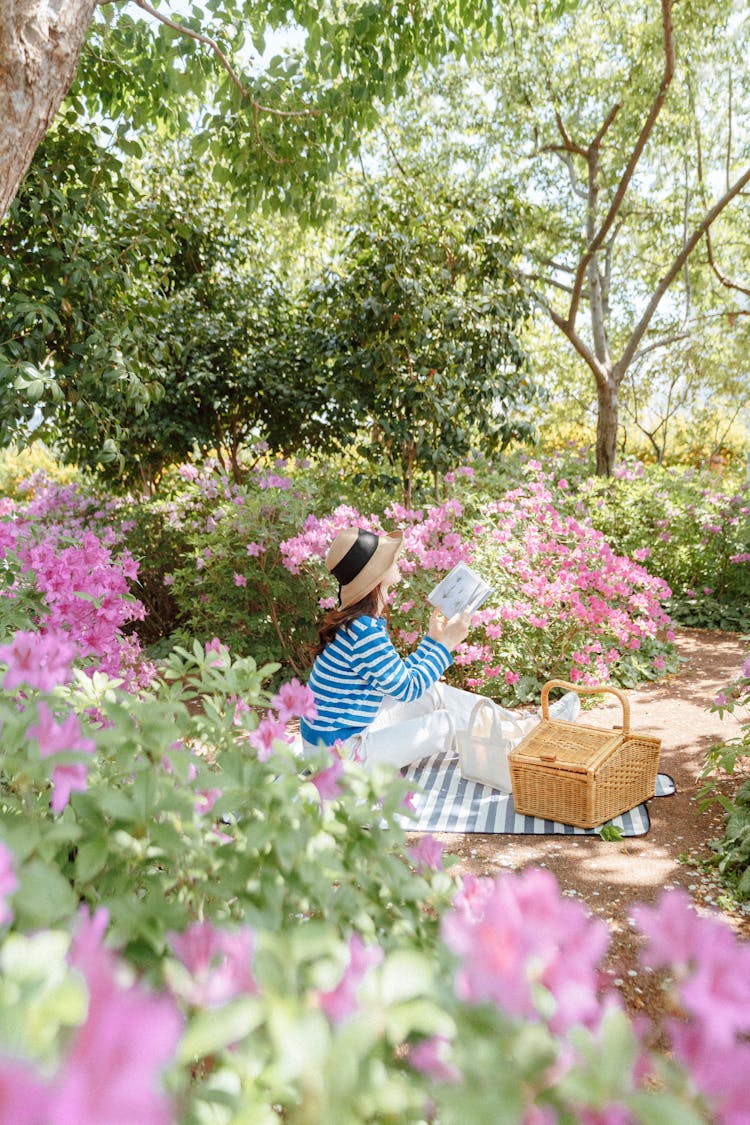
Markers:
{"x": 41, "y": 42}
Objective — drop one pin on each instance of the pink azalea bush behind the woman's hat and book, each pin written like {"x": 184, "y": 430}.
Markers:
{"x": 565, "y": 605}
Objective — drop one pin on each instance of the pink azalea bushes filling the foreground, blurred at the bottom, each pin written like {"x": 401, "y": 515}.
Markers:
{"x": 282, "y": 953}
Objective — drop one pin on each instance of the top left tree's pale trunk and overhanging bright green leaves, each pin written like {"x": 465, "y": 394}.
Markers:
{"x": 275, "y": 94}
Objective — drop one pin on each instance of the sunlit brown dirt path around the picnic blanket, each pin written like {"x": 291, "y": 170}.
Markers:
{"x": 611, "y": 877}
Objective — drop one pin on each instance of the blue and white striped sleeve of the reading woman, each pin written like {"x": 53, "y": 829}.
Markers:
{"x": 377, "y": 662}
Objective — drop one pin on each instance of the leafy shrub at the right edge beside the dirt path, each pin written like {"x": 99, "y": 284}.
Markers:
{"x": 734, "y": 851}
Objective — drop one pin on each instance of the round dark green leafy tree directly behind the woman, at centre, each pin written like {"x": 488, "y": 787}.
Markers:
{"x": 417, "y": 330}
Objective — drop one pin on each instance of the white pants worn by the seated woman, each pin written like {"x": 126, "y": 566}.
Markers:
{"x": 404, "y": 733}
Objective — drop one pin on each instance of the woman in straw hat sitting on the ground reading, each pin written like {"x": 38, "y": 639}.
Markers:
{"x": 378, "y": 706}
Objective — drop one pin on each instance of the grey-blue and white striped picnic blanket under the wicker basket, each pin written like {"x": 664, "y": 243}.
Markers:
{"x": 446, "y": 803}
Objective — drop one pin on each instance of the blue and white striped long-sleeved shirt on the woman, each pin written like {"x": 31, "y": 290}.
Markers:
{"x": 354, "y": 673}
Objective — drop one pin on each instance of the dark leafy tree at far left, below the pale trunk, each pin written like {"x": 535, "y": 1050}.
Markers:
{"x": 78, "y": 312}
